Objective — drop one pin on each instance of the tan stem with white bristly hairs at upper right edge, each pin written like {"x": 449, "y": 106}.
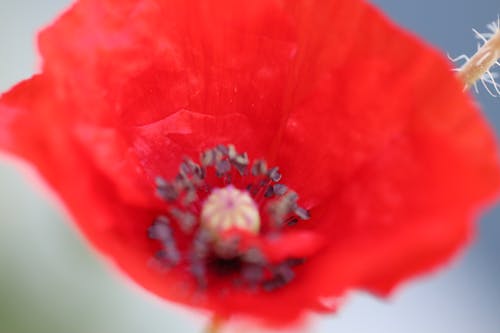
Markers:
{"x": 480, "y": 67}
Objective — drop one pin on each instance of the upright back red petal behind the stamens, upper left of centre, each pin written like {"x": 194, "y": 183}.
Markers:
{"x": 197, "y": 63}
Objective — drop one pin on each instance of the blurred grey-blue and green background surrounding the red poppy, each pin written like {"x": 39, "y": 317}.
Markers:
{"x": 50, "y": 281}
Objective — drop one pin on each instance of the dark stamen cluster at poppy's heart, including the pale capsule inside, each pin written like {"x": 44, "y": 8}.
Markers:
{"x": 212, "y": 206}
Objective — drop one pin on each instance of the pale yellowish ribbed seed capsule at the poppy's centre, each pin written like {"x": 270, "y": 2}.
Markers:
{"x": 229, "y": 208}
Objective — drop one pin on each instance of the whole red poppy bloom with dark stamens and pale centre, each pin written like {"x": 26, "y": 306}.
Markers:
{"x": 389, "y": 158}
